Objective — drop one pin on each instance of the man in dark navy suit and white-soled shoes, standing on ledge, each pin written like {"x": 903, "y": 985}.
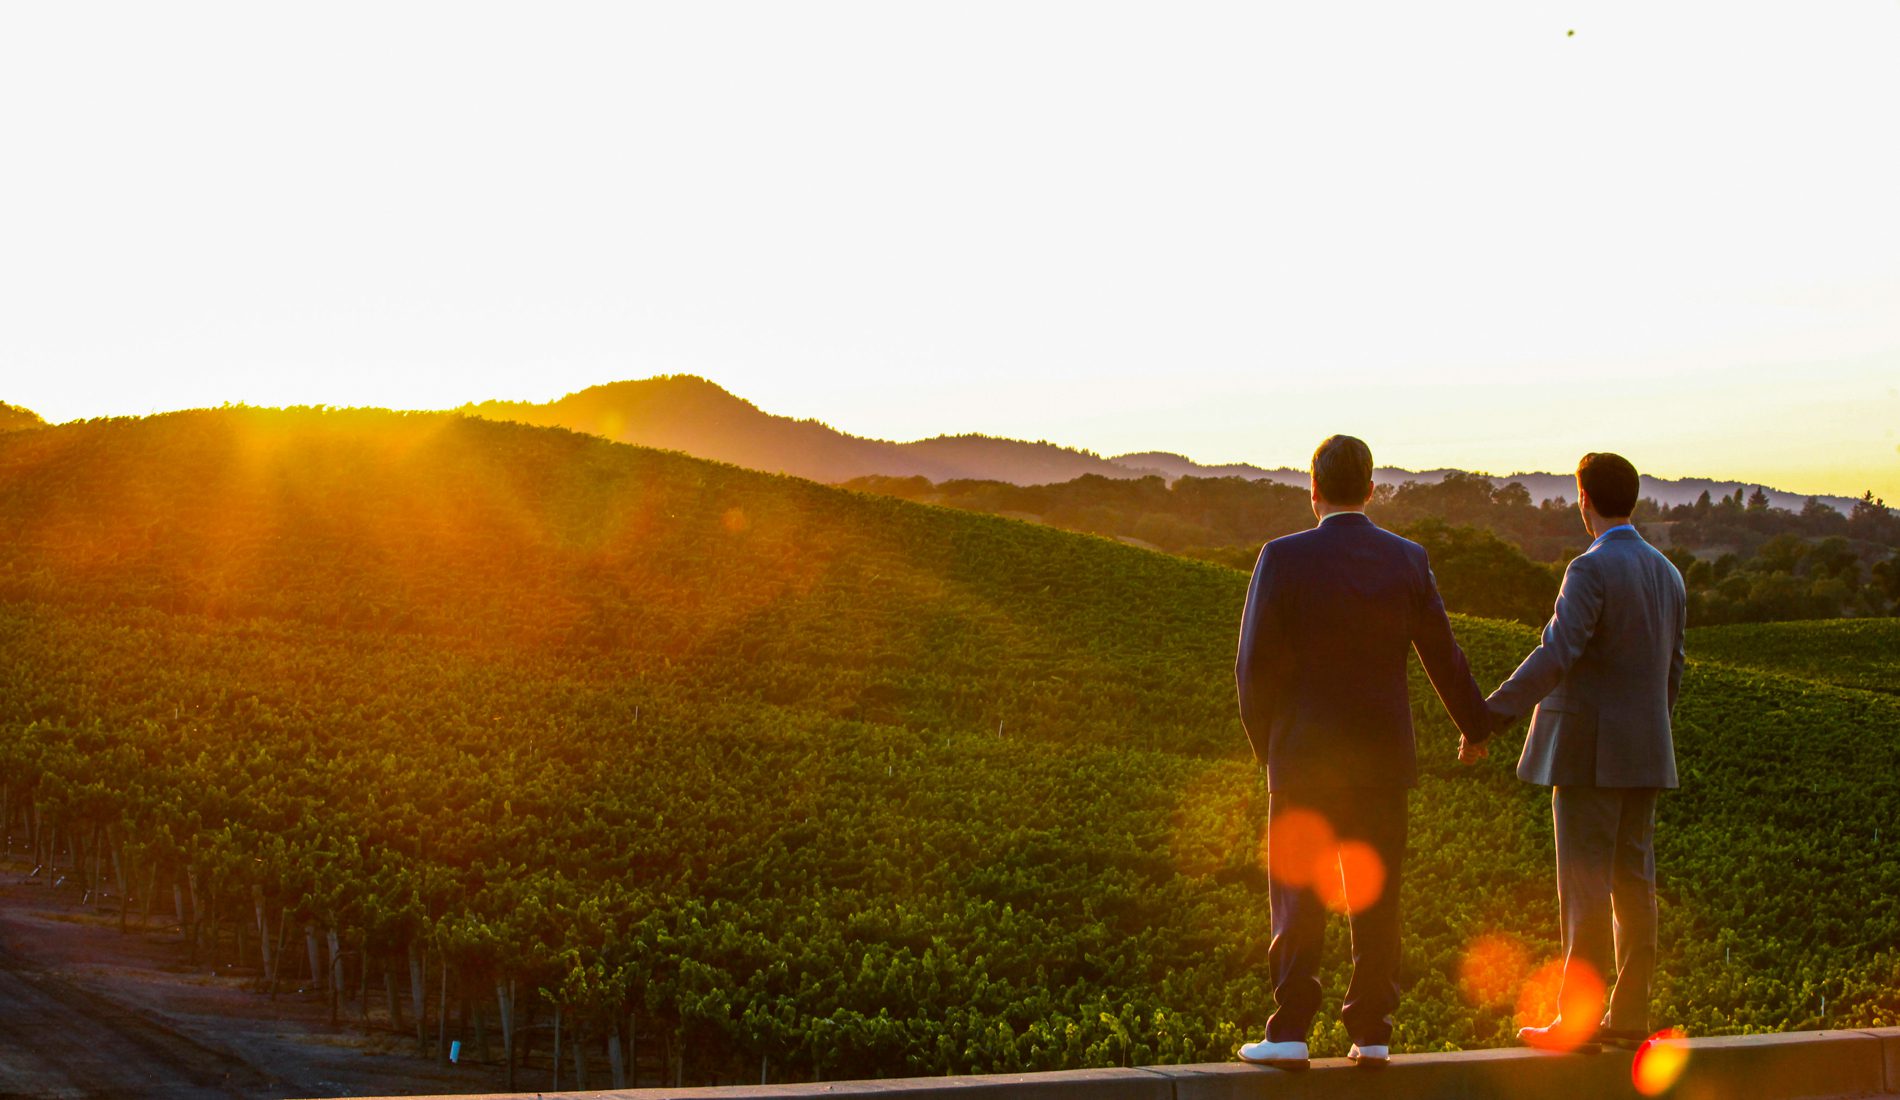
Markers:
{"x": 1331, "y": 616}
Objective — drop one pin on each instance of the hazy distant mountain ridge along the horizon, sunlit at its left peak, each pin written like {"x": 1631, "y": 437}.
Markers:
{"x": 698, "y": 417}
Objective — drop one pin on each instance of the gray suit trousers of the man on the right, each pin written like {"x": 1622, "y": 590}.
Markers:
{"x": 1606, "y": 884}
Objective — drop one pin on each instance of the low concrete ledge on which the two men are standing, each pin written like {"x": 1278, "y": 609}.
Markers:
{"x": 1785, "y": 1067}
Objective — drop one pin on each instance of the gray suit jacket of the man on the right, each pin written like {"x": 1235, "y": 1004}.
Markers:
{"x": 1606, "y": 675}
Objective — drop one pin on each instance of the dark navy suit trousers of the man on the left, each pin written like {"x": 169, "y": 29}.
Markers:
{"x": 1375, "y": 816}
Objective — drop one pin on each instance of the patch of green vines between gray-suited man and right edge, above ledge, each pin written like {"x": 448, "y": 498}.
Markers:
{"x": 1793, "y": 896}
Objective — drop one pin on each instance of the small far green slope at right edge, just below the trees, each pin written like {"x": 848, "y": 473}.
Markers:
{"x": 1844, "y": 653}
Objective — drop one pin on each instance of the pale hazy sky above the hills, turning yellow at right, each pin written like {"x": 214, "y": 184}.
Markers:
{"x": 1477, "y": 235}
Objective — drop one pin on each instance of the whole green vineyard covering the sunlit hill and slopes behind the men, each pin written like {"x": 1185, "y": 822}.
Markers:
{"x": 482, "y": 727}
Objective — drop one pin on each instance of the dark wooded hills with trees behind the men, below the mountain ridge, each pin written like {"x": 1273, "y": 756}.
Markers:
{"x": 1494, "y": 550}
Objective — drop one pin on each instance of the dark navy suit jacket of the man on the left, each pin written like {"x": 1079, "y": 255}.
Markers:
{"x": 1321, "y": 673}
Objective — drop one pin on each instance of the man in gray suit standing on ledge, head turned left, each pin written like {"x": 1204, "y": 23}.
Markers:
{"x": 1605, "y": 685}
